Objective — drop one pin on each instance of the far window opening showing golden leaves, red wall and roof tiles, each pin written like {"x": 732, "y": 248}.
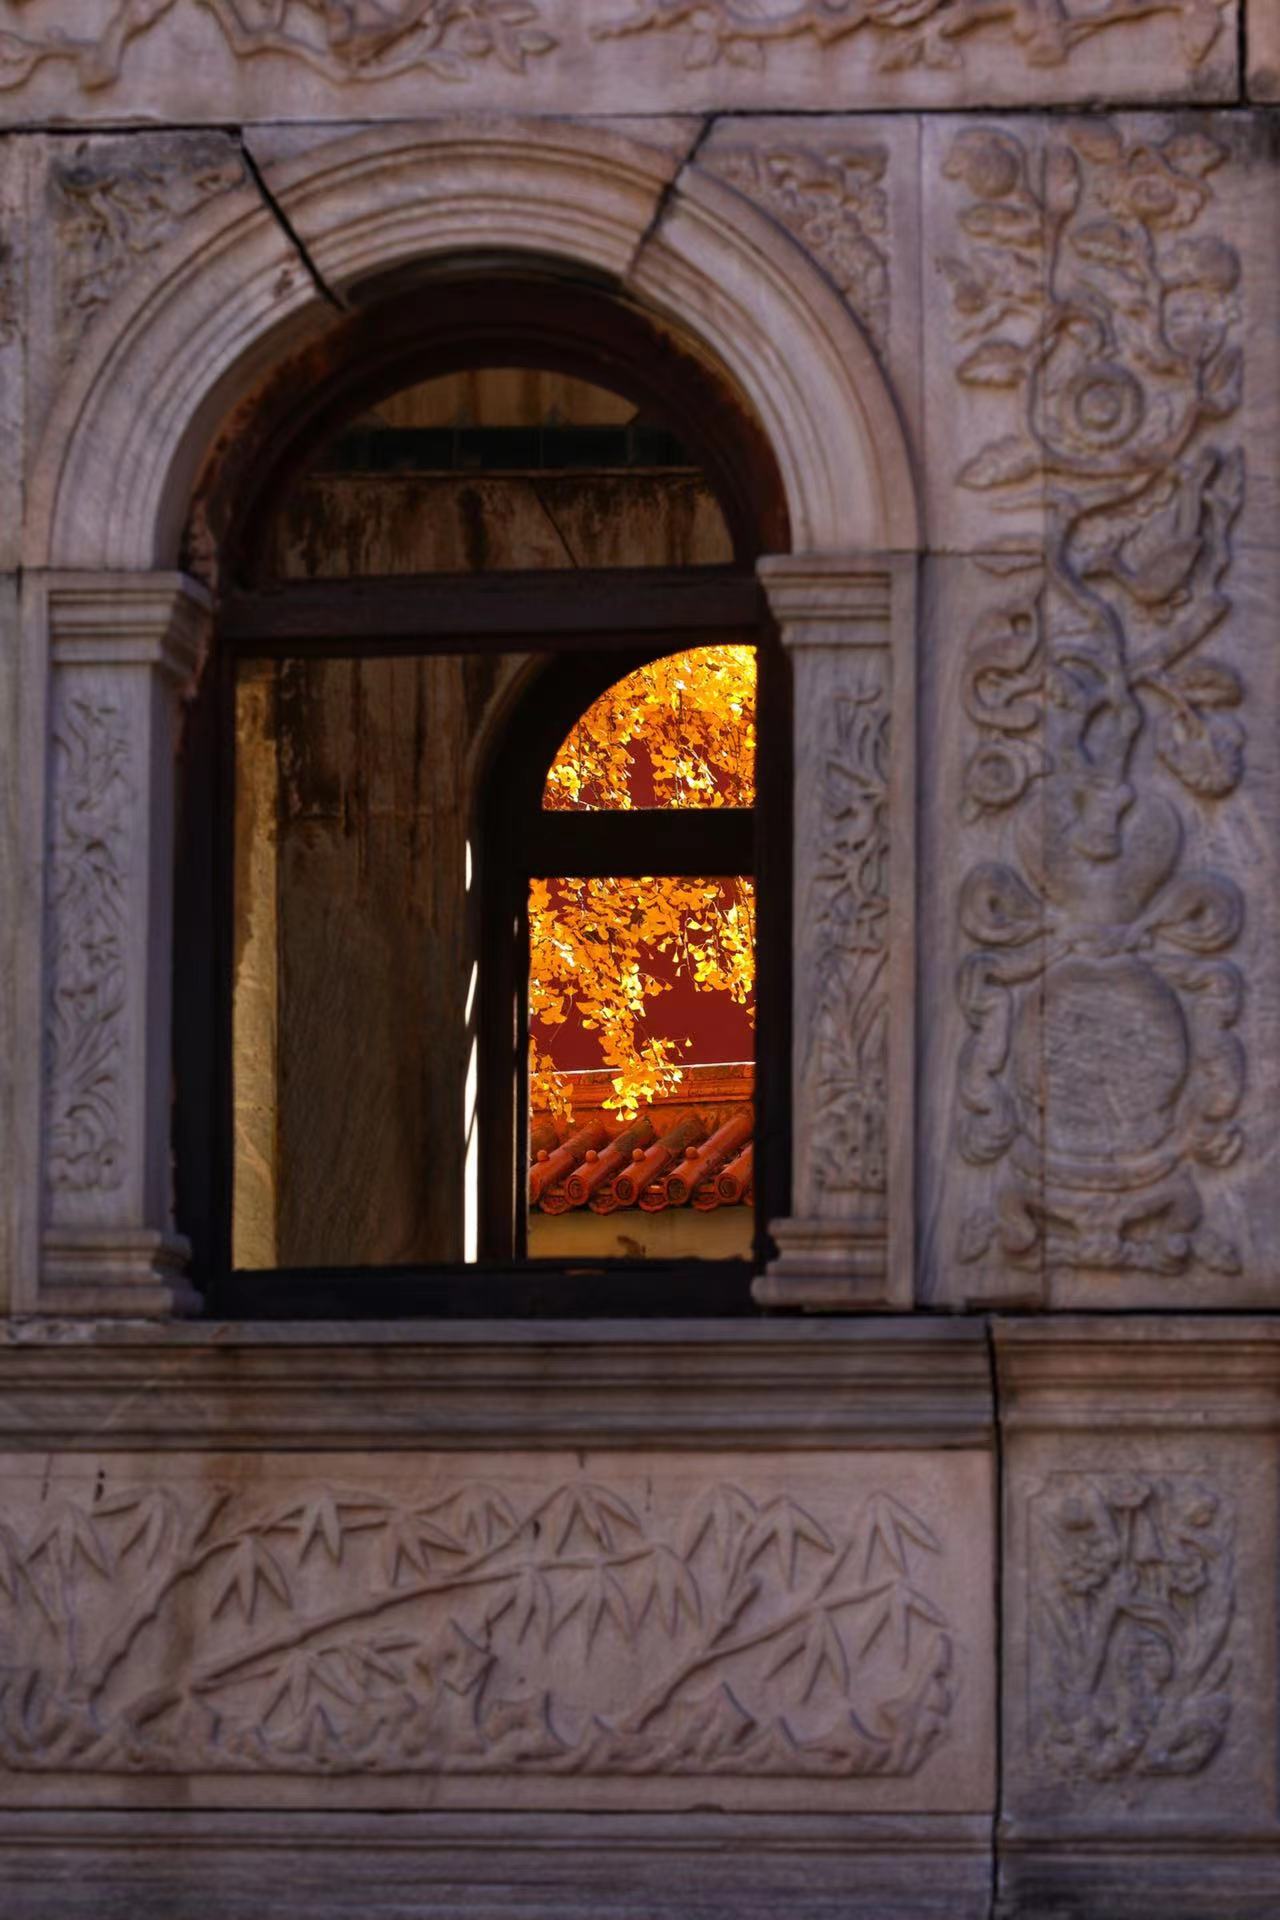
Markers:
{"x": 644, "y": 990}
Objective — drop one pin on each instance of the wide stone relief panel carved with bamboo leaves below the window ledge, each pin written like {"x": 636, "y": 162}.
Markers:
{"x": 542, "y": 1631}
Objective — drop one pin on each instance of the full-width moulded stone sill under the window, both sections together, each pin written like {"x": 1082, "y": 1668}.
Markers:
{"x": 788, "y": 1383}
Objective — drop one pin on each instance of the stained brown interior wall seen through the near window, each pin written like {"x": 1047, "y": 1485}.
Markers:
{"x": 356, "y": 930}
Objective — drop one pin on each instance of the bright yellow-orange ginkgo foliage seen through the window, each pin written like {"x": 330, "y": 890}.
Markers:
{"x": 676, "y": 732}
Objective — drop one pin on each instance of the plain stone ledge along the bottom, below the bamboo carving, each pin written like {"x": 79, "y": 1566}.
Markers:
{"x": 481, "y": 1867}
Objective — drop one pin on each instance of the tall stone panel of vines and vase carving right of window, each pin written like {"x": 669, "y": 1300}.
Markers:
{"x": 1112, "y": 994}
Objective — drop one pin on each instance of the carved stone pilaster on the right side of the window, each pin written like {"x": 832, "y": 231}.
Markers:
{"x": 834, "y": 613}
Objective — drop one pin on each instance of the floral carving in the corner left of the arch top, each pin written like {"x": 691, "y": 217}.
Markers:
{"x": 112, "y": 212}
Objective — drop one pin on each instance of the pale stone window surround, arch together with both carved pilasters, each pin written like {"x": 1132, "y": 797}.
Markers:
{"x": 114, "y": 640}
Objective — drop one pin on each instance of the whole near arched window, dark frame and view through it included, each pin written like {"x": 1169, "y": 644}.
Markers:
{"x": 492, "y": 880}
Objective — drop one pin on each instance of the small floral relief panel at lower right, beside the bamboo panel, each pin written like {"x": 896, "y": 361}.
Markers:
{"x": 1141, "y": 1595}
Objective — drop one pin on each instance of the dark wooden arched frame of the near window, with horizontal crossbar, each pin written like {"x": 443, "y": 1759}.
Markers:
{"x": 402, "y": 329}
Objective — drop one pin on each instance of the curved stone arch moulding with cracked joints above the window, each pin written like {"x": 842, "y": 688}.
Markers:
{"x": 231, "y": 297}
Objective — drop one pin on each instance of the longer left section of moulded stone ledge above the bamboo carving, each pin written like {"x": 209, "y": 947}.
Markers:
{"x": 886, "y": 1383}
